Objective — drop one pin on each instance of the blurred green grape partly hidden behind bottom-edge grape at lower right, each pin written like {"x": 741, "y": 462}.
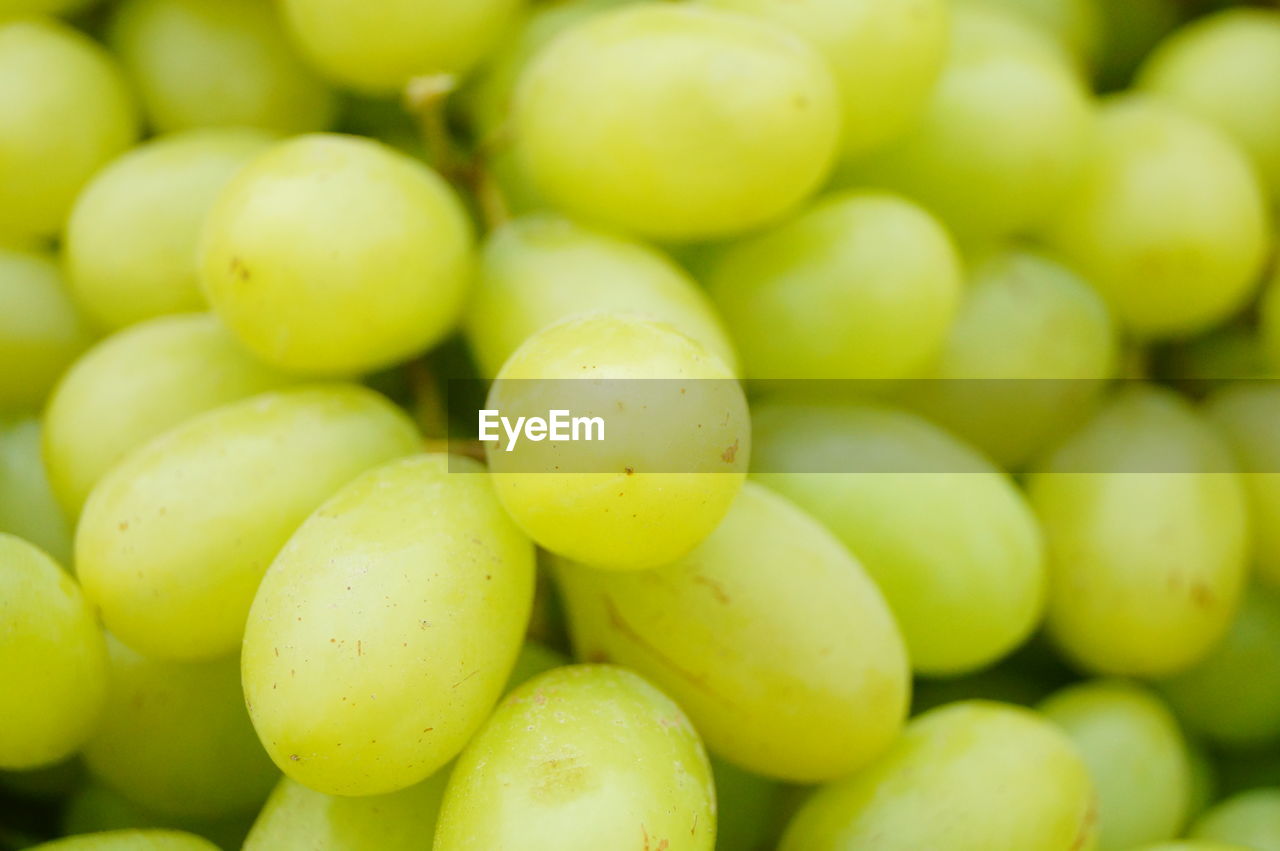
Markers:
{"x": 1136, "y": 757}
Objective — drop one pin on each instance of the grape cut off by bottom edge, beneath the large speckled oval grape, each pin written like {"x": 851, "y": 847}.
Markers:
{"x": 301, "y": 820}
